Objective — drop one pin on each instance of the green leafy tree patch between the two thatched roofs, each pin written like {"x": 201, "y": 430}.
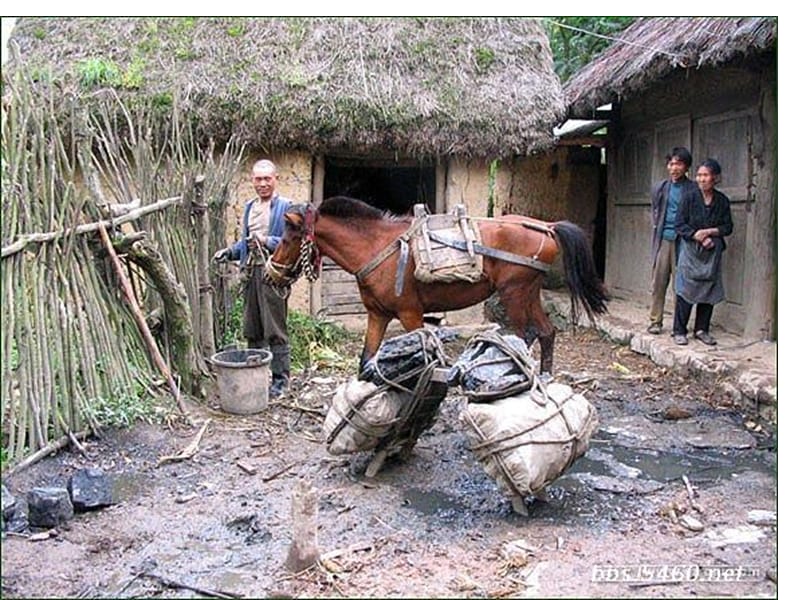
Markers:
{"x": 576, "y": 40}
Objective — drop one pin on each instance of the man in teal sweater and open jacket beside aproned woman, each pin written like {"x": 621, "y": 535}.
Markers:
{"x": 665, "y": 199}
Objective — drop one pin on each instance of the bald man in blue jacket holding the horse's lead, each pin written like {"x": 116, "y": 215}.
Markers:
{"x": 265, "y": 307}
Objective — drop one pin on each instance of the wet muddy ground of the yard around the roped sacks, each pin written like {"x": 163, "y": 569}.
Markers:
{"x": 435, "y": 525}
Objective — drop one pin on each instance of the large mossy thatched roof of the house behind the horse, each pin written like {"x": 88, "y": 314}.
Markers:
{"x": 424, "y": 86}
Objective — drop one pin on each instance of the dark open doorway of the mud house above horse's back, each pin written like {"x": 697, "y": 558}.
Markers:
{"x": 388, "y": 185}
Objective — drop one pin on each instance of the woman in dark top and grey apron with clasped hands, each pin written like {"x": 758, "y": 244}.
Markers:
{"x": 703, "y": 221}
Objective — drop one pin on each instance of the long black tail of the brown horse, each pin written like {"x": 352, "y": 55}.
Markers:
{"x": 581, "y": 276}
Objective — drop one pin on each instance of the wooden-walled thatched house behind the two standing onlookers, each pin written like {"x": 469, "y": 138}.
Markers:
{"x": 709, "y": 84}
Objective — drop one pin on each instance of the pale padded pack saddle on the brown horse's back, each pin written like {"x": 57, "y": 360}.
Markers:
{"x": 443, "y": 246}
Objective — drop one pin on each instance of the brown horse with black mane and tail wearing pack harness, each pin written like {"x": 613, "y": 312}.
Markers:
{"x": 356, "y": 235}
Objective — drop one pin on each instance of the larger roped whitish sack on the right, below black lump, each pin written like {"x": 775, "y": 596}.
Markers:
{"x": 526, "y": 441}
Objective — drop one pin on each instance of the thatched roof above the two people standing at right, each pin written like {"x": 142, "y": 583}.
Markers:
{"x": 653, "y": 48}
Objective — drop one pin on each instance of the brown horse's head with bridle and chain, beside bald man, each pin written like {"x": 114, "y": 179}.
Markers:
{"x": 297, "y": 253}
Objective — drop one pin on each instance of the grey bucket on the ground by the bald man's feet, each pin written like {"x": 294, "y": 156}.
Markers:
{"x": 243, "y": 379}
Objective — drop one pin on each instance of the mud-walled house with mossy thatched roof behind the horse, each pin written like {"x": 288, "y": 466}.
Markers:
{"x": 395, "y": 111}
